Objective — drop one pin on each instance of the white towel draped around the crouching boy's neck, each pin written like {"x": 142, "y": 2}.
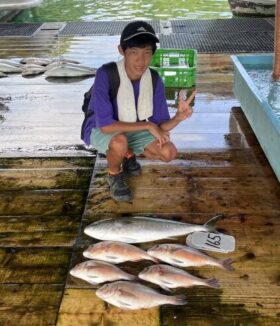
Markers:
{"x": 125, "y": 97}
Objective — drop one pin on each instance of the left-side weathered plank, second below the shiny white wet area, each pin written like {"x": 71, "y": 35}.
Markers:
{"x": 27, "y": 179}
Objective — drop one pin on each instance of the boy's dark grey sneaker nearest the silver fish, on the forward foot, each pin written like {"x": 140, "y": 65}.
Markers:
{"x": 118, "y": 187}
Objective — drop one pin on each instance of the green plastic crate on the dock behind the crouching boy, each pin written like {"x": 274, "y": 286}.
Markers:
{"x": 177, "y": 67}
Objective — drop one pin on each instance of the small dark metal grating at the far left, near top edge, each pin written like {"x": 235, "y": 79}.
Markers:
{"x": 8, "y": 29}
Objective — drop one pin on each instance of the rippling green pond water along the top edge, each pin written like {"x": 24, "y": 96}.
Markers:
{"x": 89, "y": 10}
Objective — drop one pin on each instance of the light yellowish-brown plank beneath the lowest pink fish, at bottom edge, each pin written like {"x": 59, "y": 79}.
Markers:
{"x": 82, "y": 307}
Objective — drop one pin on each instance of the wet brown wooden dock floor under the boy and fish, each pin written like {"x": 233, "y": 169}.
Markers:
{"x": 50, "y": 189}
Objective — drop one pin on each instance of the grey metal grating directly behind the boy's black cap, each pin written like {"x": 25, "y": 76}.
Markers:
{"x": 99, "y": 28}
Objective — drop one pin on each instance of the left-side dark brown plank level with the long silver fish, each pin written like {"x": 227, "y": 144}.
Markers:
{"x": 38, "y": 231}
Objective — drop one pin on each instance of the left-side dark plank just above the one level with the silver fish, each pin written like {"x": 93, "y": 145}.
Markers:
{"x": 42, "y": 202}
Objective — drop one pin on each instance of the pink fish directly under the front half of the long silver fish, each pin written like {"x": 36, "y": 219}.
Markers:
{"x": 116, "y": 252}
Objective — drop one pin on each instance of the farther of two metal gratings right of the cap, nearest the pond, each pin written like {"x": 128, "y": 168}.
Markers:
{"x": 237, "y": 25}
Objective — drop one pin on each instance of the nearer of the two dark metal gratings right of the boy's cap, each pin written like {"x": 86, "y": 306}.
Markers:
{"x": 219, "y": 42}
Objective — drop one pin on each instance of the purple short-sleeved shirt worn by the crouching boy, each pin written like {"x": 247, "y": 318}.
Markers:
{"x": 106, "y": 111}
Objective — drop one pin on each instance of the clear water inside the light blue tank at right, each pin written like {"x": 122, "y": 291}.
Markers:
{"x": 268, "y": 88}
